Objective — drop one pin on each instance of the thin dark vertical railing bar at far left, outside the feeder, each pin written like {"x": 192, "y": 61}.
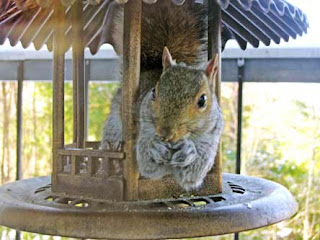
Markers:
{"x": 19, "y": 127}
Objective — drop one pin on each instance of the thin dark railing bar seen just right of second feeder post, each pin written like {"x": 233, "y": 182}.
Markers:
{"x": 87, "y": 91}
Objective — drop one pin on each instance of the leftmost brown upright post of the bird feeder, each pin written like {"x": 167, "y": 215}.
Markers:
{"x": 58, "y": 88}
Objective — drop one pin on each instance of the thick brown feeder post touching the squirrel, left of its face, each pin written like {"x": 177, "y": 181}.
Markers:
{"x": 130, "y": 89}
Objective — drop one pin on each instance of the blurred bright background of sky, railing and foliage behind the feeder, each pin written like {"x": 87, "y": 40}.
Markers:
{"x": 280, "y": 119}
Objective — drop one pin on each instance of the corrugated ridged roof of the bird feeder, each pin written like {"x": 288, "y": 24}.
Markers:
{"x": 246, "y": 21}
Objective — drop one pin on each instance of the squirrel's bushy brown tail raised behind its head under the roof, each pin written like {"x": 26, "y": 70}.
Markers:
{"x": 181, "y": 28}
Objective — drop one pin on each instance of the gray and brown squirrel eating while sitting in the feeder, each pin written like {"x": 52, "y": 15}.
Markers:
{"x": 180, "y": 121}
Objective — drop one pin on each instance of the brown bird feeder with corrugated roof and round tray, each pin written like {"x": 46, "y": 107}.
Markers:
{"x": 86, "y": 196}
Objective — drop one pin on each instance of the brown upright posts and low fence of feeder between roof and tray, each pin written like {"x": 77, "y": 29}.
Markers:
{"x": 89, "y": 173}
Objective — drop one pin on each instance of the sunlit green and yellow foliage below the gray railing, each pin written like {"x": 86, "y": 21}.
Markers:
{"x": 281, "y": 142}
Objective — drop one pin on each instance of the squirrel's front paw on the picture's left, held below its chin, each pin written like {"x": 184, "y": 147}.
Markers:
{"x": 160, "y": 151}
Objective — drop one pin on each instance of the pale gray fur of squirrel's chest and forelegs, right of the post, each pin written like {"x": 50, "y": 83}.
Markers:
{"x": 192, "y": 157}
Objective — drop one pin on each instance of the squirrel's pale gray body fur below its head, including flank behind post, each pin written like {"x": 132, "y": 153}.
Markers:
{"x": 189, "y": 160}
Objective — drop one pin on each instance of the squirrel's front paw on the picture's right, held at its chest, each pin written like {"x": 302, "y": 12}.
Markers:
{"x": 185, "y": 153}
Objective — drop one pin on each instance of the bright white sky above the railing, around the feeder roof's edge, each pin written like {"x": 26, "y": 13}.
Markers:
{"x": 310, "y": 40}
